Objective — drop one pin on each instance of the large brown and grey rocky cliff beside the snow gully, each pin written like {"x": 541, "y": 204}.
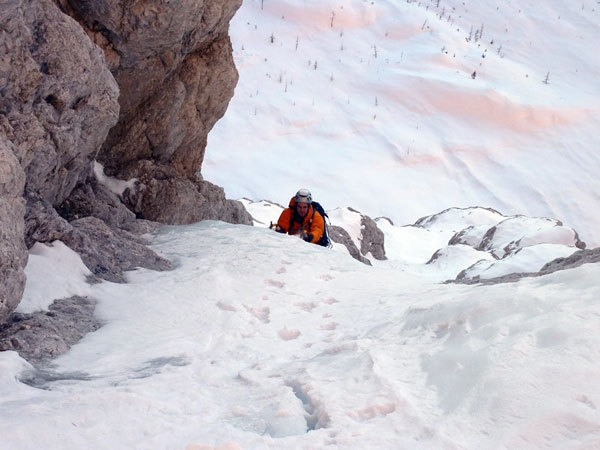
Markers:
{"x": 135, "y": 85}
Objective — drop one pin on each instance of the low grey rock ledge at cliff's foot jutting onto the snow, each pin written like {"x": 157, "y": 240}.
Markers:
{"x": 108, "y": 252}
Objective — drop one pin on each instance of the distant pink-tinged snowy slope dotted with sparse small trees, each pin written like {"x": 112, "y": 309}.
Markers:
{"x": 403, "y": 109}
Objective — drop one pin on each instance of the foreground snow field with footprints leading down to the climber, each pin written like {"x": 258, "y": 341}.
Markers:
{"x": 257, "y": 340}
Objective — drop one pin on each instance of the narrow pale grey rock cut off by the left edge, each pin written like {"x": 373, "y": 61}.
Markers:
{"x": 13, "y": 253}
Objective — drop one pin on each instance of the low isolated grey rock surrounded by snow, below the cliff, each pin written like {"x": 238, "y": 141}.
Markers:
{"x": 40, "y": 336}
